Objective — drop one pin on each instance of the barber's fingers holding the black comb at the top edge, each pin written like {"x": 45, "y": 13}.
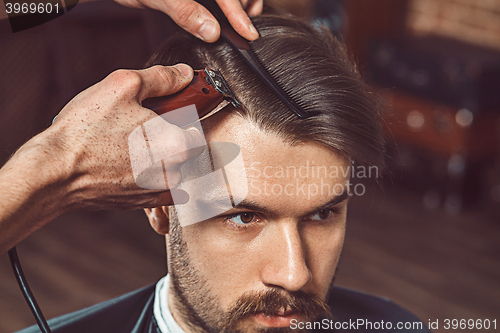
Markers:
{"x": 197, "y": 20}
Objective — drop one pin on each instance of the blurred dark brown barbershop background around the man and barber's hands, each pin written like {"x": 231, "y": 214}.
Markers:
{"x": 427, "y": 238}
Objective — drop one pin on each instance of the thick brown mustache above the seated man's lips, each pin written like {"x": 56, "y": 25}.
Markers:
{"x": 275, "y": 300}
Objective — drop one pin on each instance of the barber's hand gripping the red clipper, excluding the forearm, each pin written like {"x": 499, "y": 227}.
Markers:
{"x": 93, "y": 130}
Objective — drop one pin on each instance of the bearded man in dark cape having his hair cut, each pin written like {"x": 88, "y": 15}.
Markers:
{"x": 268, "y": 264}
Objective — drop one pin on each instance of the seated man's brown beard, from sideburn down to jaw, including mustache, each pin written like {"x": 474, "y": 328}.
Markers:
{"x": 200, "y": 308}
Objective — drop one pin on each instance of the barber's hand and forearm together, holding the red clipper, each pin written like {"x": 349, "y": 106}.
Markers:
{"x": 82, "y": 161}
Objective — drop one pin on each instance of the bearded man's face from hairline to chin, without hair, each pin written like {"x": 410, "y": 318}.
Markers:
{"x": 271, "y": 259}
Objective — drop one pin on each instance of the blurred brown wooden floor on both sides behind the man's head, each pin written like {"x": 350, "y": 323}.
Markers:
{"x": 435, "y": 265}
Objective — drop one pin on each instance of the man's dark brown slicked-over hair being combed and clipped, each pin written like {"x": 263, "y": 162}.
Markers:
{"x": 308, "y": 62}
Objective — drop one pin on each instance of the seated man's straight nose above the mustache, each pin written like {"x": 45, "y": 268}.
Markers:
{"x": 284, "y": 259}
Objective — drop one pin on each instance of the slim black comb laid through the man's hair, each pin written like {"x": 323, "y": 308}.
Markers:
{"x": 243, "y": 48}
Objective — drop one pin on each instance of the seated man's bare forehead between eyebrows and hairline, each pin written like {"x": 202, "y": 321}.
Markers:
{"x": 282, "y": 177}
